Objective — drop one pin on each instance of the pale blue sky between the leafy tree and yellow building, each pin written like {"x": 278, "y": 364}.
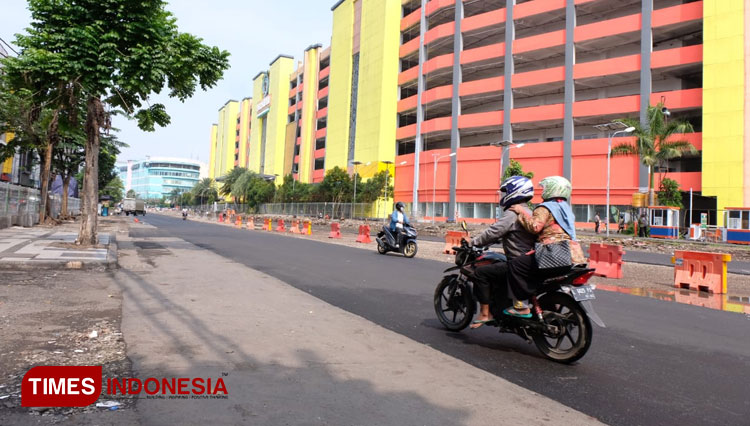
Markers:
{"x": 253, "y": 31}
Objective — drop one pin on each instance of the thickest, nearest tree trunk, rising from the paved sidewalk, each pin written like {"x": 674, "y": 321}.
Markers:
{"x": 90, "y": 197}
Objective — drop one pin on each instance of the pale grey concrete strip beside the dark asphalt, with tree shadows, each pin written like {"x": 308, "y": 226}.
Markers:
{"x": 288, "y": 357}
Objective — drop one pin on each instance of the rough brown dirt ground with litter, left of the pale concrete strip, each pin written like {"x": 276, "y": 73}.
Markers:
{"x": 48, "y": 318}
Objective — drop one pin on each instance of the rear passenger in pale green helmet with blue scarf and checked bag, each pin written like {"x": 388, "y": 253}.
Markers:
{"x": 552, "y": 221}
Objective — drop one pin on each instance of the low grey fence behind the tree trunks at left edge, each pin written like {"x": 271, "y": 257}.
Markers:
{"x": 19, "y": 200}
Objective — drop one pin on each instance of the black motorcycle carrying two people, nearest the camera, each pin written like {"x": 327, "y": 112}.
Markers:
{"x": 561, "y": 309}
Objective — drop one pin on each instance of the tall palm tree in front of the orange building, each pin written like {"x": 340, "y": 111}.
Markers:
{"x": 654, "y": 144}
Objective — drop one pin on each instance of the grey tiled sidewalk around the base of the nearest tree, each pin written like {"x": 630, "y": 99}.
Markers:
{"x": 54, "y": 247}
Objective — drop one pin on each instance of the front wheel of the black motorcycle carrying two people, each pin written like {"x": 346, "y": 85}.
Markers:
{"x": 454, "y": 304}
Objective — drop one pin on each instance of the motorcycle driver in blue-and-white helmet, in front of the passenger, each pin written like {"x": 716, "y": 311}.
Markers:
{"x": 515, "y": 191}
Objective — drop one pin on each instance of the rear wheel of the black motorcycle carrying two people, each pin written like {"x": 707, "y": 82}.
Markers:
{"x": 574, "y": 339}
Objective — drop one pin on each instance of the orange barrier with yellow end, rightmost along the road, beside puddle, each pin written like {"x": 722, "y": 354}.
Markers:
{"x": 696, "y": 270}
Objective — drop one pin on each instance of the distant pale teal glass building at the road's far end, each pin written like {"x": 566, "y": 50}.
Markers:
{"x": 157, "y": 177}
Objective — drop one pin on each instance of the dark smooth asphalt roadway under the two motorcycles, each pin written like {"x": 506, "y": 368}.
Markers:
{"x": 657, "y": 362}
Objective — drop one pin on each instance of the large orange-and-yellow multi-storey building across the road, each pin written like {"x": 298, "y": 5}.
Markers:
{"x": 430, "y": 85}
